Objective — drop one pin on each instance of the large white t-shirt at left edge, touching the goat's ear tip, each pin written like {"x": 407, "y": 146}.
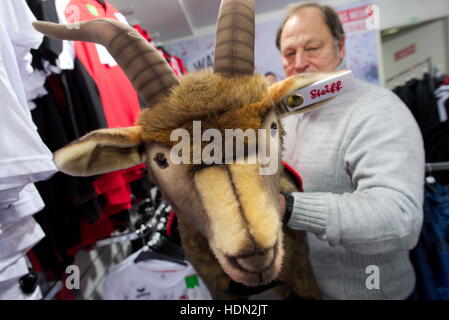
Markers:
{"x": 24, "y": 158}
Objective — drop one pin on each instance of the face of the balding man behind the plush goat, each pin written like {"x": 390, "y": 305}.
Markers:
{"x": 307, "y": 44}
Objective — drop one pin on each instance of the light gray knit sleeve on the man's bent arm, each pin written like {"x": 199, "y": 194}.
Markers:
{"x": 383, "y": 153}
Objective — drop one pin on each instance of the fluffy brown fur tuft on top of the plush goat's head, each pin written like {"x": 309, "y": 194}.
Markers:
{"x": 218, "y": 102}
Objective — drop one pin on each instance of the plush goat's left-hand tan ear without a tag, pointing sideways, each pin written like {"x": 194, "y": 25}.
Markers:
{"x": 102, "y": 151}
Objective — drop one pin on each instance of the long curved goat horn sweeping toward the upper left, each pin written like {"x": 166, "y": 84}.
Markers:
{"x": 144, "y": 66}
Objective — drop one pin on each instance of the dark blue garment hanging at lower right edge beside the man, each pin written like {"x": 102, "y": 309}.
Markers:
{"x": 430, "y": 258}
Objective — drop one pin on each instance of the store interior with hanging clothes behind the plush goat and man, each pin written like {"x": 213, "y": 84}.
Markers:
{"x": 97, "y": 237}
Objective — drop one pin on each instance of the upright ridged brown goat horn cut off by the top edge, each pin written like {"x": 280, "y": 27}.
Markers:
{"x": 234, "y": 48}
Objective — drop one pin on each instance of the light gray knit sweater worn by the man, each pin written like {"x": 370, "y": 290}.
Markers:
{"x": 361, "y": 158}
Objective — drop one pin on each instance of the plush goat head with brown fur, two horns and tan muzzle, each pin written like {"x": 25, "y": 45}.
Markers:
{"x": 232, "y": 205}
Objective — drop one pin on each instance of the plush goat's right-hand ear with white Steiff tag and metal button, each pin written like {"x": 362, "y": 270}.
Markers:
{"x": 303, "y": 92}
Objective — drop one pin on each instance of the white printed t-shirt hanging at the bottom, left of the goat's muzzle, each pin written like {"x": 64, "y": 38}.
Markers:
{"x": 151, "y": 280}
